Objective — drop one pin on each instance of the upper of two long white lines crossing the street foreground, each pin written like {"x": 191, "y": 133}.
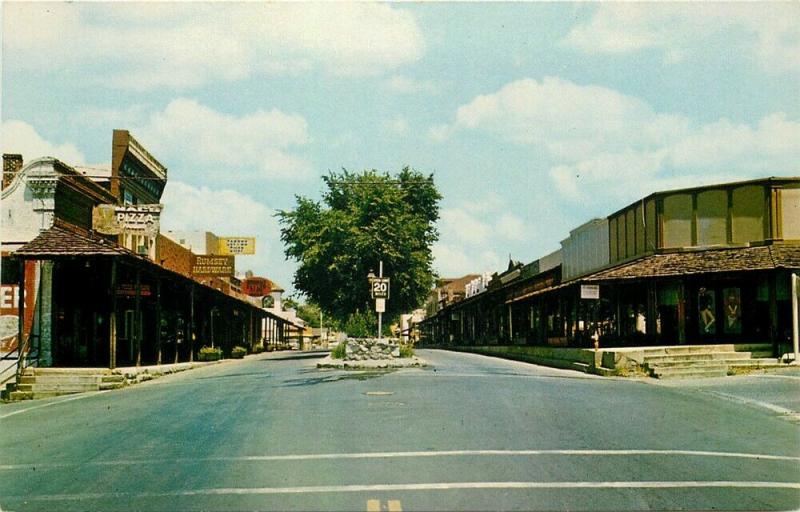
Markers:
{"x": 391, "y": 455}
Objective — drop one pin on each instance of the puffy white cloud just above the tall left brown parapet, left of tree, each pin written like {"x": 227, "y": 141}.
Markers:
{"x": 255, "y": 145}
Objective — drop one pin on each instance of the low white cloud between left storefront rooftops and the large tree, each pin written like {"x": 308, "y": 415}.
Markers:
{"x": 227, "y": 212}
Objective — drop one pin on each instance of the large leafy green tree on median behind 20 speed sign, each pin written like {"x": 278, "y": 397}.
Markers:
{"x": 364, "y": 218}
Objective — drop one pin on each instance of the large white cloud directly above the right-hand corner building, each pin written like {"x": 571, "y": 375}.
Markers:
{"x": 603, "y": 145}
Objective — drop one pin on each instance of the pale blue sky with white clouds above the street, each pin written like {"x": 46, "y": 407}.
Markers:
{"x": 533, "y": 117}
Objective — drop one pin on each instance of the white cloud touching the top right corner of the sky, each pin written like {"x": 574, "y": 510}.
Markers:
{"x": 769, "y": 32}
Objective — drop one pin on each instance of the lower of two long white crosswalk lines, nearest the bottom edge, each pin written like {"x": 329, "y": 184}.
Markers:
{"x": 445, "y": 486}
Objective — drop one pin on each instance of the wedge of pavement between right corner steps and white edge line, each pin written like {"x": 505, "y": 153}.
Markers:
{"x": 778, "y": 392}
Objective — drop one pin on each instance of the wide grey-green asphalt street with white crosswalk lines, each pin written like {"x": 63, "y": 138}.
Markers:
{"x": 470, "y": 433}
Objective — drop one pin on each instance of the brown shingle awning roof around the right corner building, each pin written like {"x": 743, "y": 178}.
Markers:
{"x": 767, "y": 257}
